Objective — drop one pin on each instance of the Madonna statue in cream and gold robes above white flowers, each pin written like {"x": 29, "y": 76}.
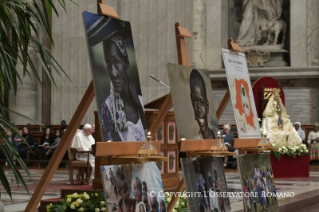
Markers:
{"x": 276, "y": 123}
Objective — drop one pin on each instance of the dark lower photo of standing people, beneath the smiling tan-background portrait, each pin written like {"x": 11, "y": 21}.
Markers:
{"x": 205, "y": 178}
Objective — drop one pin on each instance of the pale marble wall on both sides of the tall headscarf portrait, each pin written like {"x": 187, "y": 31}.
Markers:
{"x": 152, "y": 23}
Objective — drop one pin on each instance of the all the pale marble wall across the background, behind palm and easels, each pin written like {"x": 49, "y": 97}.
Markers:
{"x": 154, "y": 39}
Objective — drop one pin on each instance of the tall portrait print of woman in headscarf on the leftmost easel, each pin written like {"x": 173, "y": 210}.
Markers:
{"x": 115, "y": 77}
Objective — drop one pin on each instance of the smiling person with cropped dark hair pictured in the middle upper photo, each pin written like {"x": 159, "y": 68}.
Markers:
{"x": 200, "y": 105}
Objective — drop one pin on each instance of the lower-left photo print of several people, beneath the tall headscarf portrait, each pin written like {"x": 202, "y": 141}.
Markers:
{"x": 133, "y": 188}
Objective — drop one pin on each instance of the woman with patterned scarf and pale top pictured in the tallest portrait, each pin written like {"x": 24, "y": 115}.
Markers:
{"x": 122, "y": 112}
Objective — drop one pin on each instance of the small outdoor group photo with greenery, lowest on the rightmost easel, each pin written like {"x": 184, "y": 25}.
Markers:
{"x": 258, "y": 180}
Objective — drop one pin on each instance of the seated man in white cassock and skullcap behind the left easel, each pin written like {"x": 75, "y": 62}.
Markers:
{"x": 83, "y": 140}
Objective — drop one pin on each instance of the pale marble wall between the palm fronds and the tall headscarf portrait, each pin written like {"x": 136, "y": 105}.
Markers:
{"x": 70, "y": 50}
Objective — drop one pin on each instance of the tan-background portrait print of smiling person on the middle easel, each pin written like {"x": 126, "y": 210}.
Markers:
{"x": 193, "y": 102}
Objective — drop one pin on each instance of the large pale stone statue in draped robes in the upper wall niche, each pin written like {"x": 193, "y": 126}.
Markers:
{"x": 256, "y": 13}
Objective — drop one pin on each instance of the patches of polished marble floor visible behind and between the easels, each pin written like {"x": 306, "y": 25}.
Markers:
{"x": 20, "y": 197}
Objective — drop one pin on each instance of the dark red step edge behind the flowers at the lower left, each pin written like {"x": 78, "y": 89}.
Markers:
{"x": 64, "y": 193}
